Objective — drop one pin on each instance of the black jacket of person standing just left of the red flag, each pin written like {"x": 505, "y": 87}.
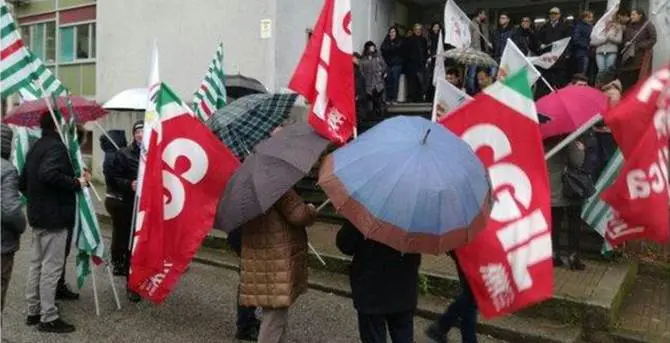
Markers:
{"x": 121, "y": 173}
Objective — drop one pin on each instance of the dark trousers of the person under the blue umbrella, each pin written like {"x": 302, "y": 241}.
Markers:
{"x": 373, "y": 327}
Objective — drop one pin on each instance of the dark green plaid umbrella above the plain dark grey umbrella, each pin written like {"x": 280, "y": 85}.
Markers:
{"x": 249, "y": 120}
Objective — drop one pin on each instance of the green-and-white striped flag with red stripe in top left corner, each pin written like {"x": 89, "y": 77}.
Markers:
{"x": 18, "y": 66}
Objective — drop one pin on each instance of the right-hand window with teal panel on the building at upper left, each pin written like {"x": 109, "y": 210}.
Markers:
{"x": 77, "y": 42}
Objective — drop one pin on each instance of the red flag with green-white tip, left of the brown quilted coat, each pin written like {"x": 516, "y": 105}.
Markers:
{"x": 187, "y": 170}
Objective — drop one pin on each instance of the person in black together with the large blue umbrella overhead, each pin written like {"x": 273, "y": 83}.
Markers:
{"x": 408, "y": 186}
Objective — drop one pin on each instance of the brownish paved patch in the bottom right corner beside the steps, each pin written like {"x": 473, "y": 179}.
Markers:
{"x": 646, "y": 309}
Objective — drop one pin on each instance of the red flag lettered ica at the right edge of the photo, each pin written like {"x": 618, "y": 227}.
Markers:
{"x": 639, "y": 197}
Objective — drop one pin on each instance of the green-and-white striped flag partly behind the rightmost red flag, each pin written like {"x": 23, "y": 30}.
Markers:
{"x": 596, "y": 212}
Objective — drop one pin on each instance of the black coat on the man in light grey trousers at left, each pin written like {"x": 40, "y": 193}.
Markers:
{"x": 49, "y": 184}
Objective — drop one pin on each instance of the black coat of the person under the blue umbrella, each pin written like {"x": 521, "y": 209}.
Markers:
{"x": 383, "y": 280}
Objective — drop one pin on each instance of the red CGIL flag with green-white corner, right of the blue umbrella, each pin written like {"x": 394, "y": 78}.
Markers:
{"x": 509, "y": 264}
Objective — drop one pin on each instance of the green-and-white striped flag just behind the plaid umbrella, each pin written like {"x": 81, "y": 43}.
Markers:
{"x": 212, "y": 92}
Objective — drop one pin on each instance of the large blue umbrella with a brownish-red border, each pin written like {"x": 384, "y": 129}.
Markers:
{"x": 411, "y": 184}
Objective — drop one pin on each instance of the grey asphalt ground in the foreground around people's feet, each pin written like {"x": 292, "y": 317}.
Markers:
{"x": 201, "y": 309}
